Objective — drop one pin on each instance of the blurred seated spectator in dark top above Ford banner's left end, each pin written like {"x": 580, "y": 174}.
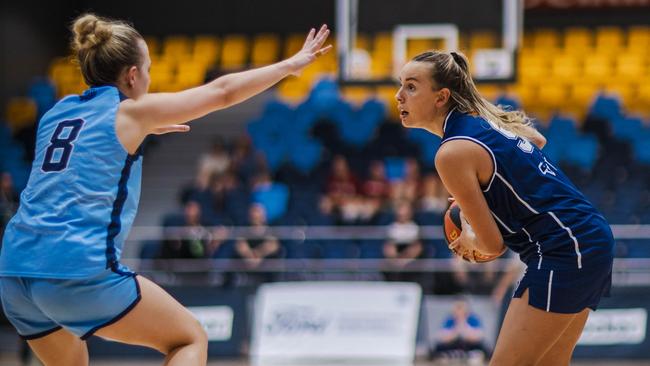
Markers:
{"x": 259, "y": 243}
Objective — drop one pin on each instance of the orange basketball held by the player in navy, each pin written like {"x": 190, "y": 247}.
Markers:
{"x": 453, "y": 225}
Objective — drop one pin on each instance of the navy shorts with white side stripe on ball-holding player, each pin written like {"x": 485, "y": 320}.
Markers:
{"x": 567, "y": 291}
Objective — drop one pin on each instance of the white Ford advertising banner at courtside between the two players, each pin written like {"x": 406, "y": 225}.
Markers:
{"x": 307, "y": 321}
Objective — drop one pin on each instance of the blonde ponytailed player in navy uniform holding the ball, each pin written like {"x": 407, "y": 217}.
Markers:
{"x": 512, "y": 195}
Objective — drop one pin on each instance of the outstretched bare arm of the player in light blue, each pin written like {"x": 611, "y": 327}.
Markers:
{"x": 156, "y": 110}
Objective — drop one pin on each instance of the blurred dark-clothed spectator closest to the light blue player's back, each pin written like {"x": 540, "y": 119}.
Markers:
{"x": 192, "y": 240}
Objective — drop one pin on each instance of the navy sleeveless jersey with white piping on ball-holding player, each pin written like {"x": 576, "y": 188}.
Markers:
{"x": 540, "y": 213}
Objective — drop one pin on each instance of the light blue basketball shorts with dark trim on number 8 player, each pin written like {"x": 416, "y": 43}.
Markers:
{"x": 39, "y": 306}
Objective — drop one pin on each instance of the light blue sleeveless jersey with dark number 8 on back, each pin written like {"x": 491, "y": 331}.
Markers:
{"x": 82, "y": 194}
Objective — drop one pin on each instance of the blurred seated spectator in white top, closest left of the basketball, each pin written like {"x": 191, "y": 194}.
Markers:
{"x": 403, "y": 244}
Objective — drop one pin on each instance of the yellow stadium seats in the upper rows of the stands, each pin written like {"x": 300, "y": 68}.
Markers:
{"x": 557, "y": 69}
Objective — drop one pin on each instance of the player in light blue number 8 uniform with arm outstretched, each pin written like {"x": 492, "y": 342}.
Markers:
{"x": 60, "y": 276}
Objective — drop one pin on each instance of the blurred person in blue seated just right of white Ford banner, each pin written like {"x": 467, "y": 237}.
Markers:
{"x": 461, "y": 337}
